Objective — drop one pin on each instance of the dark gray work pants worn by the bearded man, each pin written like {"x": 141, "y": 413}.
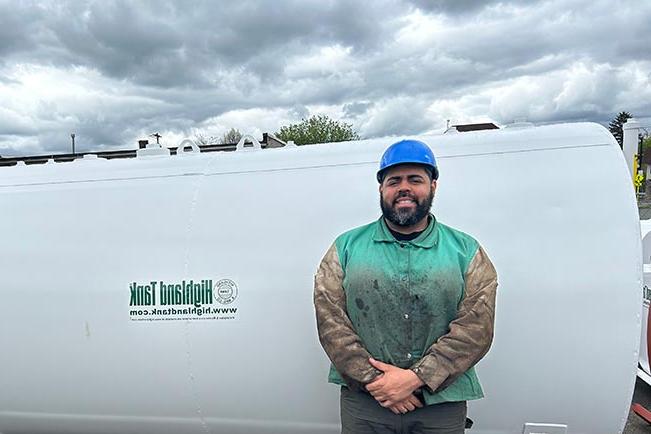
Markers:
{"x": 362, "y": 414}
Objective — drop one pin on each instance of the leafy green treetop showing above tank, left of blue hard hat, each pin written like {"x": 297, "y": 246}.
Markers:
{"x": 317, "y": 129}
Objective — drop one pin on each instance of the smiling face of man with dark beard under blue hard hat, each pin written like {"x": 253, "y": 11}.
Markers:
{"x": 406, "y": 194}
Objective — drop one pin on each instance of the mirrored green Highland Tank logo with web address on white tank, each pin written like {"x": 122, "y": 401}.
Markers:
{"x": 191, "y": 299}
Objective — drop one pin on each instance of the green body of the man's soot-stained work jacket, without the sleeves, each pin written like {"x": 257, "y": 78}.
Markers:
{"x": 402, "y": 295}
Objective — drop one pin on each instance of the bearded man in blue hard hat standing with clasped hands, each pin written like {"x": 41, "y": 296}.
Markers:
{"x": 405, "y": 308}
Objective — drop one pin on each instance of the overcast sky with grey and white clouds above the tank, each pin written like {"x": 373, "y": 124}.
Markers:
{"x": 116, "y": 71}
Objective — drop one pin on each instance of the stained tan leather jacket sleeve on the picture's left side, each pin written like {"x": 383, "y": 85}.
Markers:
{"x": 336, "y": 333}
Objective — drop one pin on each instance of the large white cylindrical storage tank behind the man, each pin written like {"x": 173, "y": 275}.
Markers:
{"x": 170, "y": 294}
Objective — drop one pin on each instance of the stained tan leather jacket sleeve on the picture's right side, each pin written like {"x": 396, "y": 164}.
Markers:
{"x": 471, "y": 332}
